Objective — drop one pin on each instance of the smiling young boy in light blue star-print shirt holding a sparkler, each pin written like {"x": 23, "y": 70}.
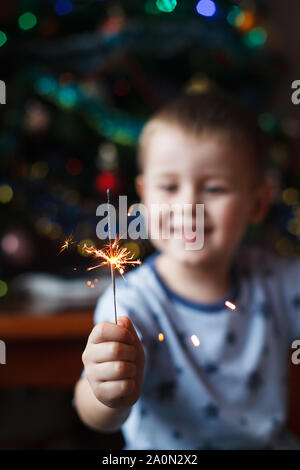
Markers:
{"x": 229, "y": 392}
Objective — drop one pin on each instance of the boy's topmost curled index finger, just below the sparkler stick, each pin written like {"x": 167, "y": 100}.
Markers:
{"x": 106, "y": 331}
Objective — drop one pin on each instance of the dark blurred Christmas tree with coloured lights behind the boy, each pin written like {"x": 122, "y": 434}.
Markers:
{"x": 82, "y": 77}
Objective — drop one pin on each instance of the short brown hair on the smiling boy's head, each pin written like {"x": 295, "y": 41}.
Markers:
{"x": 210, "y": 111}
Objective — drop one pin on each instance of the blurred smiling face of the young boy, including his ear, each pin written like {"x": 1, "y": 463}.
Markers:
{"x": 208, "y": 169}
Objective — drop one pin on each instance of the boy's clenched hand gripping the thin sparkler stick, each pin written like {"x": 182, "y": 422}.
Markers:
{"x": 114, "y": 362}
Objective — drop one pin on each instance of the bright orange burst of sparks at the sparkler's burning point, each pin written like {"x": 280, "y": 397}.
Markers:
{"x": 112, "y": 255}
